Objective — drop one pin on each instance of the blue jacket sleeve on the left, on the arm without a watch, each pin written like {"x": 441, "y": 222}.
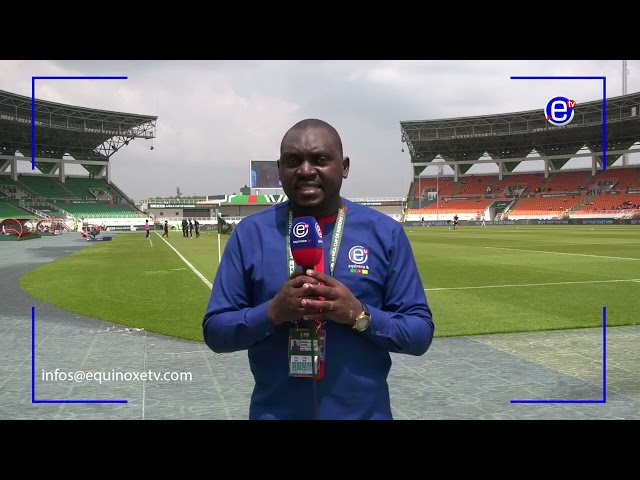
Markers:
{"x": 230, "y": 322}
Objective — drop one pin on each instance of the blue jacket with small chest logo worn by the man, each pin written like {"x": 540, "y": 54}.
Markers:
{"x": 253, "y": 268}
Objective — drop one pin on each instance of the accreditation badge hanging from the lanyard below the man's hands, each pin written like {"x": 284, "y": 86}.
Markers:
{"x": 303, "y": 360}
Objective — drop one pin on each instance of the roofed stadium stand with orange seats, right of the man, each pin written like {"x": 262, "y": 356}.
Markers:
{"x": 507, "y": 140}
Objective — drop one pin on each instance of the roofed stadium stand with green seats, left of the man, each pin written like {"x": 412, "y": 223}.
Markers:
{"x": 67, "y": 135}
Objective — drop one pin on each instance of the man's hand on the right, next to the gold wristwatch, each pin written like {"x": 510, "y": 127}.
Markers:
{"x": 337, "y": 303}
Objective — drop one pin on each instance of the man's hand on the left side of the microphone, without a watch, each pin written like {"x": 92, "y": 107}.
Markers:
{"x": 286, "y": 306}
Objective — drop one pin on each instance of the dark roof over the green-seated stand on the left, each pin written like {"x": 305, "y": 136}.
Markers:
{"x": 80, "y": 132}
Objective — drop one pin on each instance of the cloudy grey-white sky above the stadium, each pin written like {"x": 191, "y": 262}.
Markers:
{"x": 216, "y": 116}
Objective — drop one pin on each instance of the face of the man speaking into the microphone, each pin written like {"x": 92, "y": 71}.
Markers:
{"x": 311, "y": 167}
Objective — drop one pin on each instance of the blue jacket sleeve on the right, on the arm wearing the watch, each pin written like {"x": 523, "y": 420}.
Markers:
{"x": 404, "y": 324}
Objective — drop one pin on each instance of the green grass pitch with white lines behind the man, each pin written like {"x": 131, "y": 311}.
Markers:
{"x": 478, "y": 280}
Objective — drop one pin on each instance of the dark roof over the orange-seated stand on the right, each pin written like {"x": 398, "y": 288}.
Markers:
{"x": 512, "y": 136}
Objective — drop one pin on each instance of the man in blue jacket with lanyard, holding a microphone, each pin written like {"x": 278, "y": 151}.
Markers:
{"x": 363, "y": 300}
